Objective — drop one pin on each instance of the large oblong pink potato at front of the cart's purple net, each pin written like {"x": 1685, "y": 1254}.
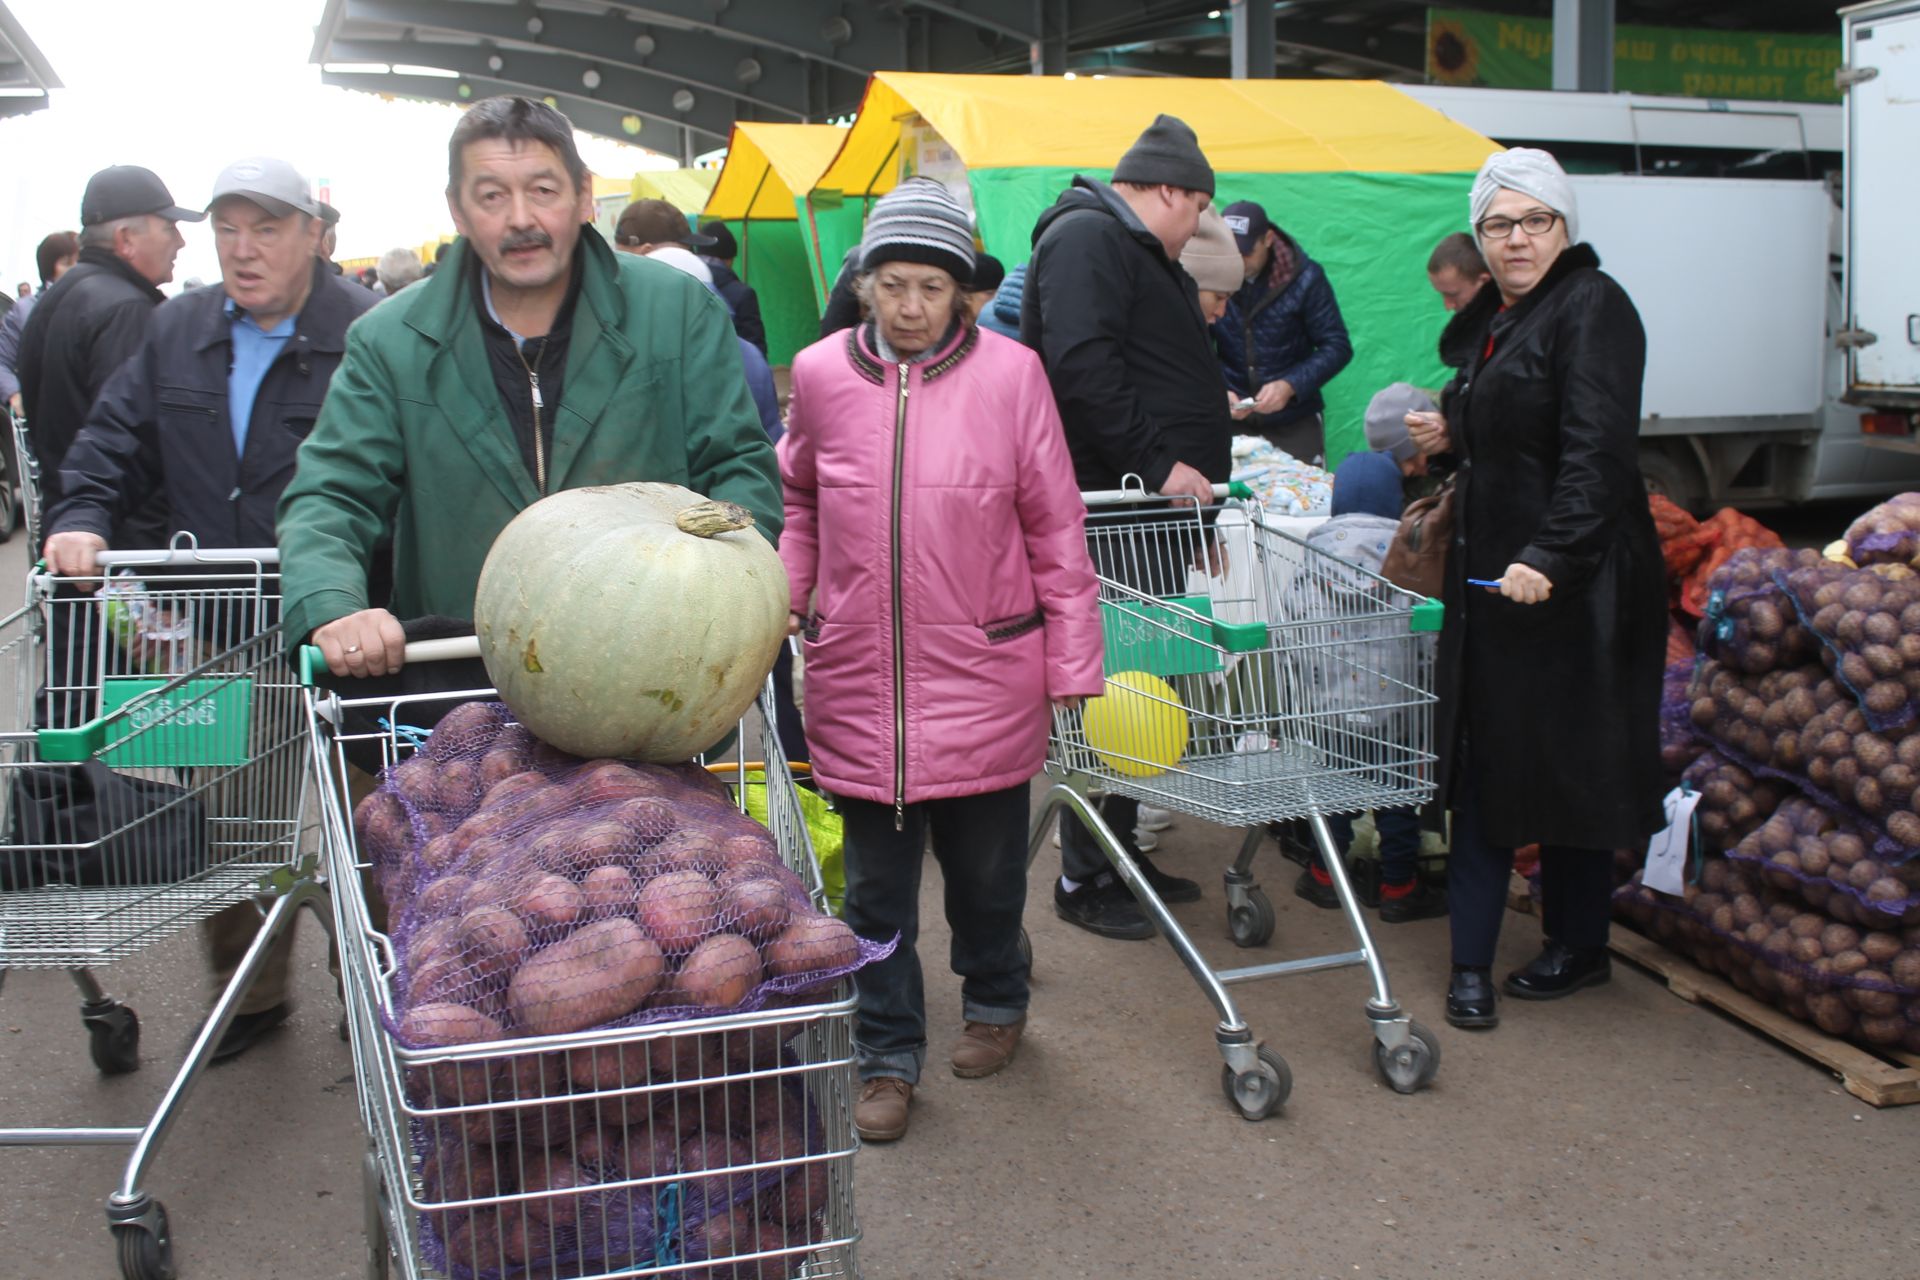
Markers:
{"x": 594, "y": 976}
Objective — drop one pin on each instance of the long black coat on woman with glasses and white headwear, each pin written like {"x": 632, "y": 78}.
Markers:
{"x": 1560, "y": 701}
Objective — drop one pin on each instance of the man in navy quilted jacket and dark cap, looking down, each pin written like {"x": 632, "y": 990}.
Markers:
{"x": 1282, "y": 339}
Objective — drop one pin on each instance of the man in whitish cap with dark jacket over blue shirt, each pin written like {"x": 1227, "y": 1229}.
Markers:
{"x": 206, "y": 419}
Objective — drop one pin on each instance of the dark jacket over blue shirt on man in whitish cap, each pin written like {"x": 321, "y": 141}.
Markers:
{"x": 162, "y": 423}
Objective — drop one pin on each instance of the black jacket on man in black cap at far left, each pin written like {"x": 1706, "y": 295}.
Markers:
{"x": 80, "y": 333}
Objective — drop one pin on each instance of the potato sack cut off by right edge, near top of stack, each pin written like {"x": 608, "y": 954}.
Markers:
{"x": 1869, "y": 627}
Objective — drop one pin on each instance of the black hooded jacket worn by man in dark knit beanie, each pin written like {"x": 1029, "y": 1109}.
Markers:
{"x": 1126, "y": 348}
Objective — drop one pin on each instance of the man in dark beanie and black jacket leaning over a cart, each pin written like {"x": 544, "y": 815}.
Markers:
{"x": 1140, "y": 389}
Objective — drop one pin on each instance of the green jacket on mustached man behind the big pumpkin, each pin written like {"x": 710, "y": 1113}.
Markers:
{"x": 414, "y": 442}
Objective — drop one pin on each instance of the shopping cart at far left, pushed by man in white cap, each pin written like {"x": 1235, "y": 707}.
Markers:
{"x": 166, "y": 782}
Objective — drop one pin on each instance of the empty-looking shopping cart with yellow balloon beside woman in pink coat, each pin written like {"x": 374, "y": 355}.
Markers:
{"x": 1299, "y": 694}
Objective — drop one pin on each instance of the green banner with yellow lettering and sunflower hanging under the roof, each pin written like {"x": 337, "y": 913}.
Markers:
{"x": 1495, "y": 51}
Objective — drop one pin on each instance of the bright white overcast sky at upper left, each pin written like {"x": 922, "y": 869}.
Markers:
{"x": 185, "y": 87}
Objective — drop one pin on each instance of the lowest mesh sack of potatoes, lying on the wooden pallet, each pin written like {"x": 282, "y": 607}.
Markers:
{"x": 1863, "y": 985}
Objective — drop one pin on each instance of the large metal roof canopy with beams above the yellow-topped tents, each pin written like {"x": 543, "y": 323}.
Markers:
{"x": 675, "y": 76}
